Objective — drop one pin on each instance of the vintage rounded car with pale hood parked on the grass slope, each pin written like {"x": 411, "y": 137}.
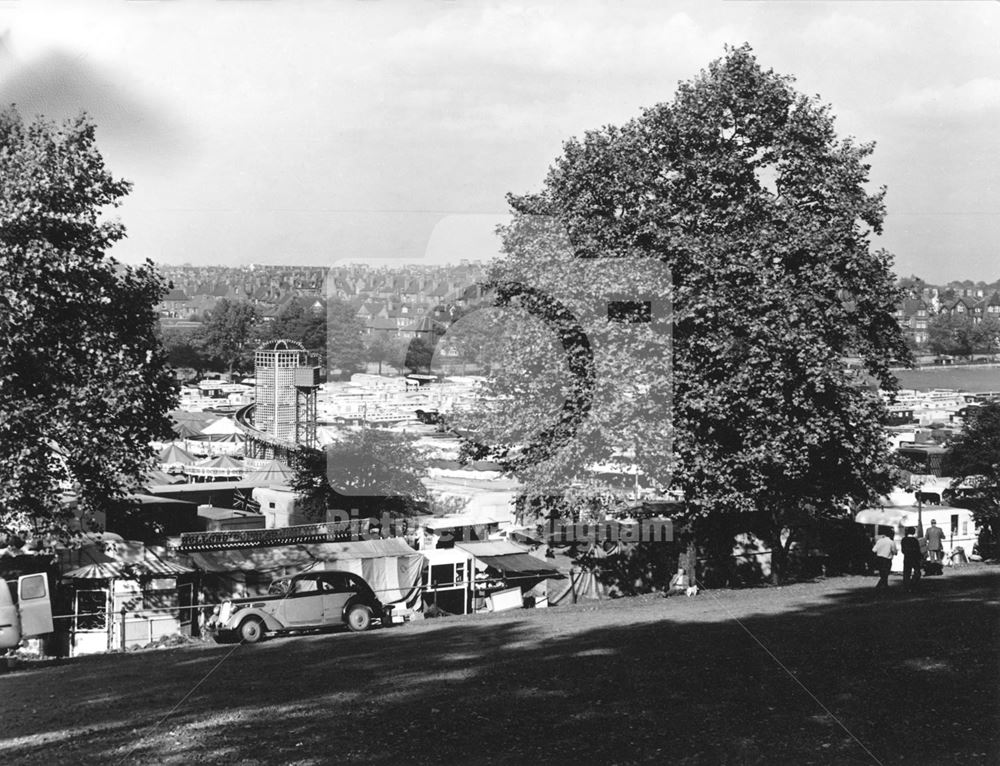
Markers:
{"x": 306, "y": 601}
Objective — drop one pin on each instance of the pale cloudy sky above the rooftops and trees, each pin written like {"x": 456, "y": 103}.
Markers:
{"x": 328, "y": 131}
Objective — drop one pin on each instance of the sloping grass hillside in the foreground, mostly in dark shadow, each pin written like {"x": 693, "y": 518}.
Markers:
{"x": 913, "y": 676}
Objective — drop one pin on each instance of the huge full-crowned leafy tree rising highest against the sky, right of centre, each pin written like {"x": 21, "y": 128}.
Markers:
{"x": 741, "y": 188}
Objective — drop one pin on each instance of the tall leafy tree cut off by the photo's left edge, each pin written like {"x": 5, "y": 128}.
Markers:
{"x": 83, "y": 383}
